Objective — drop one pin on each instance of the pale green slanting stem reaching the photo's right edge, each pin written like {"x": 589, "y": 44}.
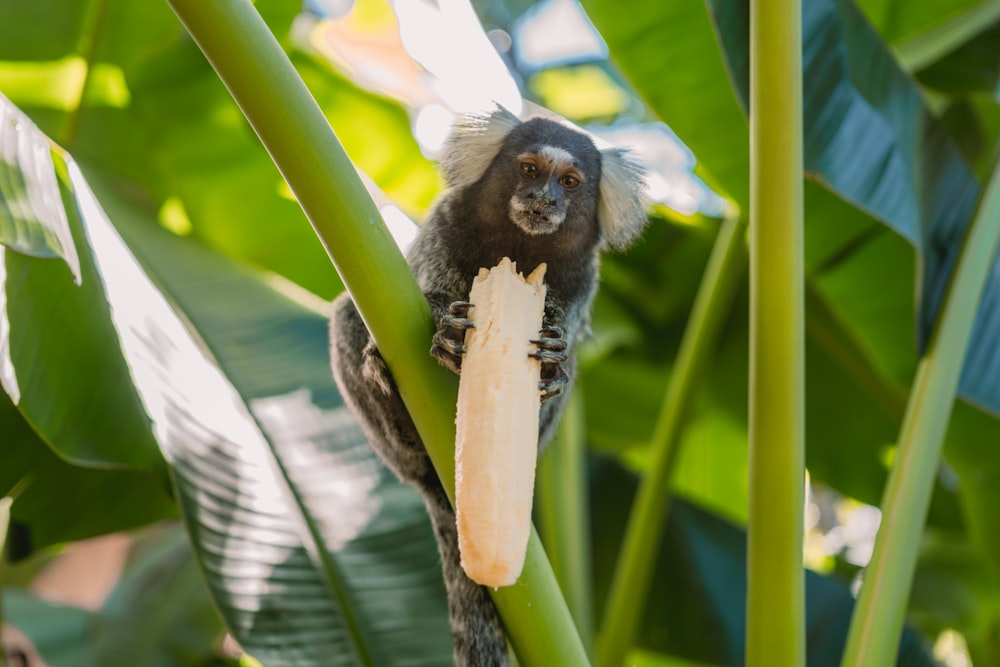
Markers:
{"x": 873, "y": 639}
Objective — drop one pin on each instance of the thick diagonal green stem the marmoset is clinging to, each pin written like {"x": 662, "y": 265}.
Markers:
{"x": 293, "y": 129}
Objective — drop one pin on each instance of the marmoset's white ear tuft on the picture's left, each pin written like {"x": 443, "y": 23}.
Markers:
{"x": 473, "y": 143}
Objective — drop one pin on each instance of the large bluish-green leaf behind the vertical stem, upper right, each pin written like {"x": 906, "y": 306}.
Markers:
{"x": 870, "y": 138}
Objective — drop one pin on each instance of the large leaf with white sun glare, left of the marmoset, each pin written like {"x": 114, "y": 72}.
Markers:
{"x": 312, "y": 552}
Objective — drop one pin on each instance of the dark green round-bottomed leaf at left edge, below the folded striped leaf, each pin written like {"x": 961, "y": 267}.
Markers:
{"x": 57, "y": 333}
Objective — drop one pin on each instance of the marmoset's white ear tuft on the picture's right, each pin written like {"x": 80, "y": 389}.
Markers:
{"x": 621, "y": 209}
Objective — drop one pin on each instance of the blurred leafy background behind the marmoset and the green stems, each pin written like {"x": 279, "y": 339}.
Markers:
{"x": 186, "y": 373}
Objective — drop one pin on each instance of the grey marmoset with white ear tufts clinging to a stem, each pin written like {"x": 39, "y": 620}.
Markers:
{"x": 535, "y": 191}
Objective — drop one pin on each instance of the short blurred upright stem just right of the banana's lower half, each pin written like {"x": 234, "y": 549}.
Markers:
{"x": 563, "y": 502}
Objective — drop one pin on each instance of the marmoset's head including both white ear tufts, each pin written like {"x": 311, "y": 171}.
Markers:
{"x": 547, "y": 178}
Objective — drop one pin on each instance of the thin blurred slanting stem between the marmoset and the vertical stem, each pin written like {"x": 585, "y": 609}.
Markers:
{"x": 630, "y": 582}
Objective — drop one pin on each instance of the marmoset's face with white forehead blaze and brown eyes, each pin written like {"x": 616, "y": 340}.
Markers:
{"x": 548, "y": 178}
